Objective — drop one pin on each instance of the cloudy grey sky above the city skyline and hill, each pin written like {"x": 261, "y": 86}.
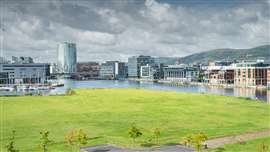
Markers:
{"x": 117, "y": 29}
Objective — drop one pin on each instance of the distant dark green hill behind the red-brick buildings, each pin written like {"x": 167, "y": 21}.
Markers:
{"x": 261, "y": 52}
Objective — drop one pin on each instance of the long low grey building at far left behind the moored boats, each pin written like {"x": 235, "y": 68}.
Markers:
{"x": 24, "y": 73}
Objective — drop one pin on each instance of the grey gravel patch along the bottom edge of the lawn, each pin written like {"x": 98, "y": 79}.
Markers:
{"x": 110, "y": 148}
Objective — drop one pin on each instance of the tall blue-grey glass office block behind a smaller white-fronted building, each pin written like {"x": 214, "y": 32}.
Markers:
{"x": 135, "y": 63}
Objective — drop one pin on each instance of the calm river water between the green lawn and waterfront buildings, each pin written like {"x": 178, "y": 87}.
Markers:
{"x": 241, "y": 92}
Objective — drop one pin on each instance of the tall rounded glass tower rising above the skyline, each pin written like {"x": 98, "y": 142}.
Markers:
{"x": 67, "y": 58}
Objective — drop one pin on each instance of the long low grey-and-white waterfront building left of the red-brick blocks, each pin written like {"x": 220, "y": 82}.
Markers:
{"x": 180, "y": 73}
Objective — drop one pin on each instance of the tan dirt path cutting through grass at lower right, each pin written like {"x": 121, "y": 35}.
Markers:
{"x": 219, "y": 142}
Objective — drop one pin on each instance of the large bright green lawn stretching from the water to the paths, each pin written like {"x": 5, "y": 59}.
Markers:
{"x": 106, "y": 115}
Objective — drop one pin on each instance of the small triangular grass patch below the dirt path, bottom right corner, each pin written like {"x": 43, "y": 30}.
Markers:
{"x": 250, "y": 146}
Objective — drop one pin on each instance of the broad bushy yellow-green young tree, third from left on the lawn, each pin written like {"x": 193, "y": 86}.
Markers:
{"x": 76, "y": 138}
